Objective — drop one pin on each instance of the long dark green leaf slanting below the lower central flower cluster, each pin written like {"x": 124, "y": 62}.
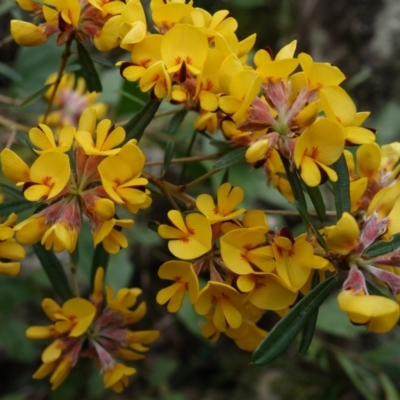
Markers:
{"x": 288, "y": 327}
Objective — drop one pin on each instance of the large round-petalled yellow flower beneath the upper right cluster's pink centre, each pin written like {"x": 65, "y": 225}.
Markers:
{"x": 317, "y": 147}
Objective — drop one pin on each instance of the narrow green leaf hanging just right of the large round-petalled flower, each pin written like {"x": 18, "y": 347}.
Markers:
{"x": 341, "y": 188}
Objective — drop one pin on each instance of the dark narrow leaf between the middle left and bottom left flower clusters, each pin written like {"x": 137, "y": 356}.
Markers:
{"x": 54, "y": 271}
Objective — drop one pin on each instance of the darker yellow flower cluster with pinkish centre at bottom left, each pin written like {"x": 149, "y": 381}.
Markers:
{"x": 95, "y": 329}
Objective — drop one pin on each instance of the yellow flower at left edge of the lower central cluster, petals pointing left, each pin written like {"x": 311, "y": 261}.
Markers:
{"x": 191, "y": 237}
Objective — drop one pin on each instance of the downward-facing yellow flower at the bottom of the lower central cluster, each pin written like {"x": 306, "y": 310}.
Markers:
{"x": 226, "y": 303}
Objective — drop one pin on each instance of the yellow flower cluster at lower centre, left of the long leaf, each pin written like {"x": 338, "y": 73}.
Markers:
{"x": 250, "y": 268}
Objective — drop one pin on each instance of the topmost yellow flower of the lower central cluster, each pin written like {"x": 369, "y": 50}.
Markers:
{"x": 228, "y": 197}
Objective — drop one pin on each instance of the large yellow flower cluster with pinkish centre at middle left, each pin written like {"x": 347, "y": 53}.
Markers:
{"x": 99, "y": 177}
